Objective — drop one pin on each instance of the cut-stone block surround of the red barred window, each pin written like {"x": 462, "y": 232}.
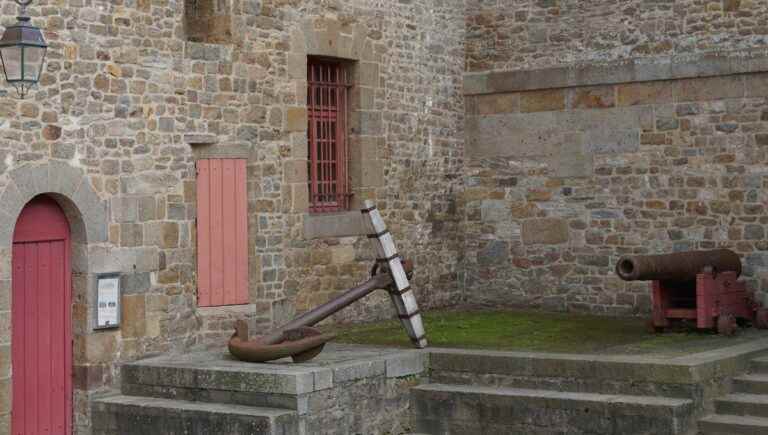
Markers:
{"x": 329, "y": 37}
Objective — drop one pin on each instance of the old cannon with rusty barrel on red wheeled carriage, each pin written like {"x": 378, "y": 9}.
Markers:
{"x": 700, "y": 286}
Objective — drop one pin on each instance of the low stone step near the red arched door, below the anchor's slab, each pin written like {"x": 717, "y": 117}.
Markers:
{"x": 133, "y": 415}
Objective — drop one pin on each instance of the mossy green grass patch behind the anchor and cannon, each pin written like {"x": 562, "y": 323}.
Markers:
{"x": 538, "y": 331}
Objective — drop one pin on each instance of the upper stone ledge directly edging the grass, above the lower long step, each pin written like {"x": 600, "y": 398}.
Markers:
{"x": 600, "y": 374}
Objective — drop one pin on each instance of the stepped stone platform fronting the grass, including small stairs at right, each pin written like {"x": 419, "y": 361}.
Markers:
{"x": 473, "y": 391}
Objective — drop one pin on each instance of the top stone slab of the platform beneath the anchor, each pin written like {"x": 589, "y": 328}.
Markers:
{"x": 216, "y": 377}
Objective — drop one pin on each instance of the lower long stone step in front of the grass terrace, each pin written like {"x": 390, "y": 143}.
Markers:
{"x": 441, "y": 408}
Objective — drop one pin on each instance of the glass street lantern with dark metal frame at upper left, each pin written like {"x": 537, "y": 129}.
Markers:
{"x": 22, "y": 52}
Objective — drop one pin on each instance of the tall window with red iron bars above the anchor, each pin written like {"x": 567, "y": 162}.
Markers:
{"x": 327, "y": 106}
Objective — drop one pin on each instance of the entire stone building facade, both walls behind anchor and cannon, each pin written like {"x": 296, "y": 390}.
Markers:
{"x": 515, "y": 147}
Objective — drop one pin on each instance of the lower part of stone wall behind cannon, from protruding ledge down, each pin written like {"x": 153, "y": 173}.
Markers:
{"x": 562, "y": 181}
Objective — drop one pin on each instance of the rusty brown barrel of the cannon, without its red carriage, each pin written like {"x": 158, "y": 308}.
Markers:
{"x": 679, "y": 266}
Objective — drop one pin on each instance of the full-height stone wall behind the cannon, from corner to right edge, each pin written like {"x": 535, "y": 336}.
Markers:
{"x": 596, "y": 129}
